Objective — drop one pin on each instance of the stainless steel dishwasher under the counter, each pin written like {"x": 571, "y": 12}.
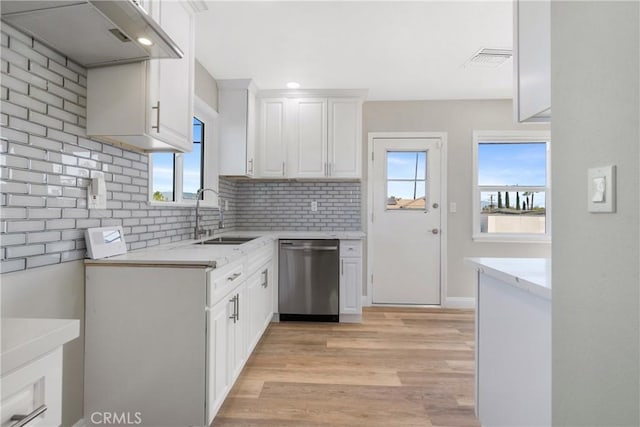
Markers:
{"x": 309, "y": 280}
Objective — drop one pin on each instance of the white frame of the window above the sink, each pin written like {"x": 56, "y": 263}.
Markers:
{"x": 209, "y": 162}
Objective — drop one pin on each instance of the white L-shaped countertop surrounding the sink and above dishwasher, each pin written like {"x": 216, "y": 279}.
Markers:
{"x": 190, "y": 253}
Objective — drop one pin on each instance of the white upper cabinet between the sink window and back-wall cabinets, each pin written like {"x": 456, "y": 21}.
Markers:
{"x": 237, "y": 108}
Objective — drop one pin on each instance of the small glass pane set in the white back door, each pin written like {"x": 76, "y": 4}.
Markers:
{"x": 406, "y": 180}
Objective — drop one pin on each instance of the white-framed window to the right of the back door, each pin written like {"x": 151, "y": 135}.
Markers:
{"x": 512, "y": 188}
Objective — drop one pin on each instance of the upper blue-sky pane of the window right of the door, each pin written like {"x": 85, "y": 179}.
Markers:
{"x": 502, "y": 164}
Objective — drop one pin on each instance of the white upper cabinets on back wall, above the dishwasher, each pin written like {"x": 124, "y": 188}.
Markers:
{"x": 310, "y": 137}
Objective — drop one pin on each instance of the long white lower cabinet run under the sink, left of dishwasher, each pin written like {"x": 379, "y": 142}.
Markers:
{"x": 164, "y": 344}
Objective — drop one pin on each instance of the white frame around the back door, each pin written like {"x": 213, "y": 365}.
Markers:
{"x": 443, "y": 204}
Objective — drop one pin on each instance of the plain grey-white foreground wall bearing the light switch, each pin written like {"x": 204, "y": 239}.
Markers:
{"x": 595, "y": 55}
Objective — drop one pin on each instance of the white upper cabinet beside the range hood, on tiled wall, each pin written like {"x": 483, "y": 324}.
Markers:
{"x": 148, "y": 104}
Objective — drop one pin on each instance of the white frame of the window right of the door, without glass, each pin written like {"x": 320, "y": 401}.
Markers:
{"x": 516, "y": 136}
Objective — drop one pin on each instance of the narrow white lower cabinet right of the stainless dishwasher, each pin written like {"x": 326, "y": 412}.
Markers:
{"x": 350, "y": 281}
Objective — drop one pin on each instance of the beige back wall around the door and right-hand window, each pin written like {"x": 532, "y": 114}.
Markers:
{"x": 458, "y": 119}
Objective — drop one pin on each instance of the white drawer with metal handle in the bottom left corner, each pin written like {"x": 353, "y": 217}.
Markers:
{"x": 34, "y": 389}
